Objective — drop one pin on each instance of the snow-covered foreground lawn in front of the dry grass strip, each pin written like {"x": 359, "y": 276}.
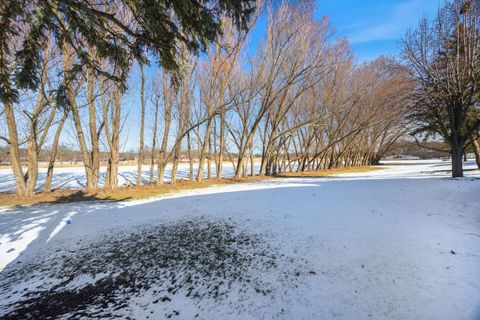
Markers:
{"x": 399, "y": 243}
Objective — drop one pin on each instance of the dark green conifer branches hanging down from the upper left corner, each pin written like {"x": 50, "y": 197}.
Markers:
{"x": 118, "y": 30}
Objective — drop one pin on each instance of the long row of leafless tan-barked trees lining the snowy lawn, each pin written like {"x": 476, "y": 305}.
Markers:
{"x": 300, "y": 103}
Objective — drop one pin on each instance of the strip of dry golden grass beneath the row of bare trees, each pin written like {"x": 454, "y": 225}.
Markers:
{"x": 149, "y": 191}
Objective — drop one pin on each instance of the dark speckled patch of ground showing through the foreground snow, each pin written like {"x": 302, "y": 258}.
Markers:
{"x": 200, "y": 259}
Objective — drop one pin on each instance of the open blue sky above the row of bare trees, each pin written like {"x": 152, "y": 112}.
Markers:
{"x": 373, "y": 27}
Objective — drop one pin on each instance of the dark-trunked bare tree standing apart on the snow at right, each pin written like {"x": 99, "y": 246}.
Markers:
{"x": 443, "y": 56}
